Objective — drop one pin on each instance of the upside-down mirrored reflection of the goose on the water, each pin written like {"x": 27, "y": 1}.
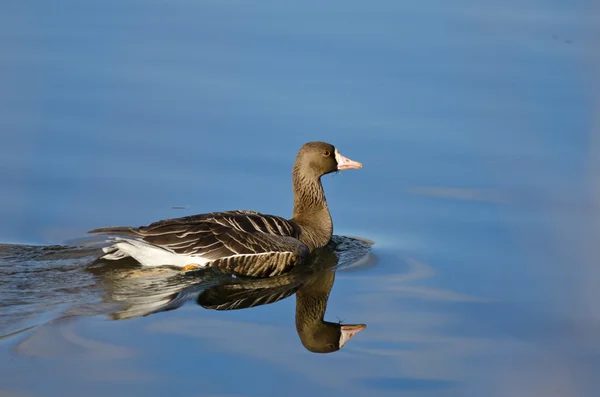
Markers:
{"x": 146, "y": 292}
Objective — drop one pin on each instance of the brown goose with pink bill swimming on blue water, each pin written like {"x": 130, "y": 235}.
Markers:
{"x": 241, "y": 242}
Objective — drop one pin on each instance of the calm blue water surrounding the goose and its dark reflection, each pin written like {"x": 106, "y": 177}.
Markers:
{"x": 477, "y": 123}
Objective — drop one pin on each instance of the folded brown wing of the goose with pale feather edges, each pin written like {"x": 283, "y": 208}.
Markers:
{"x": 245, "y": 242}
